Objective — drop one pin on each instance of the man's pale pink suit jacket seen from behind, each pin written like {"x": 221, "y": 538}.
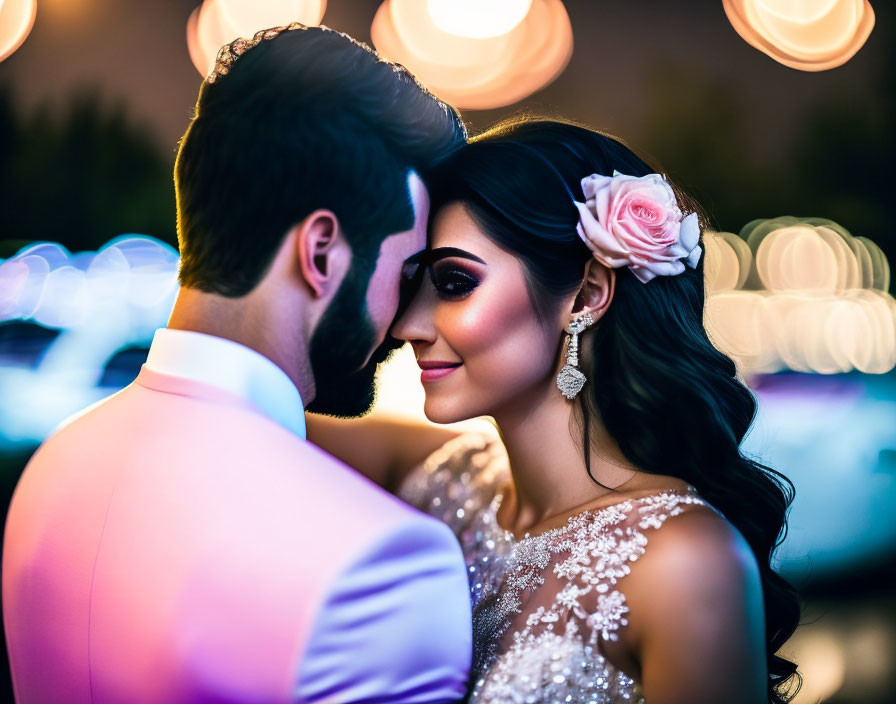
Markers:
{"x": 172, "y": 544}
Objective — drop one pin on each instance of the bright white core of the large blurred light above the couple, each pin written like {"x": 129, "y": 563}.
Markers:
{"x": 478, "y": 19}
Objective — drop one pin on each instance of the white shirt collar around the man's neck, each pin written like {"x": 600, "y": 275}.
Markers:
{"x": 231, "y": 366}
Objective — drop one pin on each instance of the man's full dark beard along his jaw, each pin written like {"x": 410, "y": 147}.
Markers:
{"x": 339, "y": 345}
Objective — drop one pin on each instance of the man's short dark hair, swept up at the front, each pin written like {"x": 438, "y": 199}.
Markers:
{"x": 309, "y": 119}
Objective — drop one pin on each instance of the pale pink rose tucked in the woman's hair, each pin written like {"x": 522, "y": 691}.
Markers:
{"x": 636, "y": 222}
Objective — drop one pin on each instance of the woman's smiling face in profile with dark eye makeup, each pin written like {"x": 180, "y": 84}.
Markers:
{"x": 480, "y": 345}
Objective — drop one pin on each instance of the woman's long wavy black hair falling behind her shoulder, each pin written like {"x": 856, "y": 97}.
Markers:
{"x": 651, "y": 363}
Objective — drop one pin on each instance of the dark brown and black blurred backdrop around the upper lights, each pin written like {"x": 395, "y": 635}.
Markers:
{"x": 92, "y": 106}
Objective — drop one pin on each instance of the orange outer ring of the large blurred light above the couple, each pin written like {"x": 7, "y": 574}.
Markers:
{"x": 476, "y": 73}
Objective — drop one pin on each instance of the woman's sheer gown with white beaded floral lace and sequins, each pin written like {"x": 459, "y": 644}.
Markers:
{"x": 541, "y": 604}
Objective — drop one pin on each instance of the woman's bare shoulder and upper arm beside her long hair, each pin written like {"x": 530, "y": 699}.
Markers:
{"x": 696, "y": 609}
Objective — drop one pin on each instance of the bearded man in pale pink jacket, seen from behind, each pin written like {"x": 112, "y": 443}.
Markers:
{"x": 181, "y": 541}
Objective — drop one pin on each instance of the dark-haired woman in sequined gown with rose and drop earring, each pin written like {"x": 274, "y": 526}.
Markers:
{"x": 619, "y": 550}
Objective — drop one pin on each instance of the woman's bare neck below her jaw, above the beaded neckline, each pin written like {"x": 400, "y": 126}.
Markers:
{"x": 547, "y": 462}
